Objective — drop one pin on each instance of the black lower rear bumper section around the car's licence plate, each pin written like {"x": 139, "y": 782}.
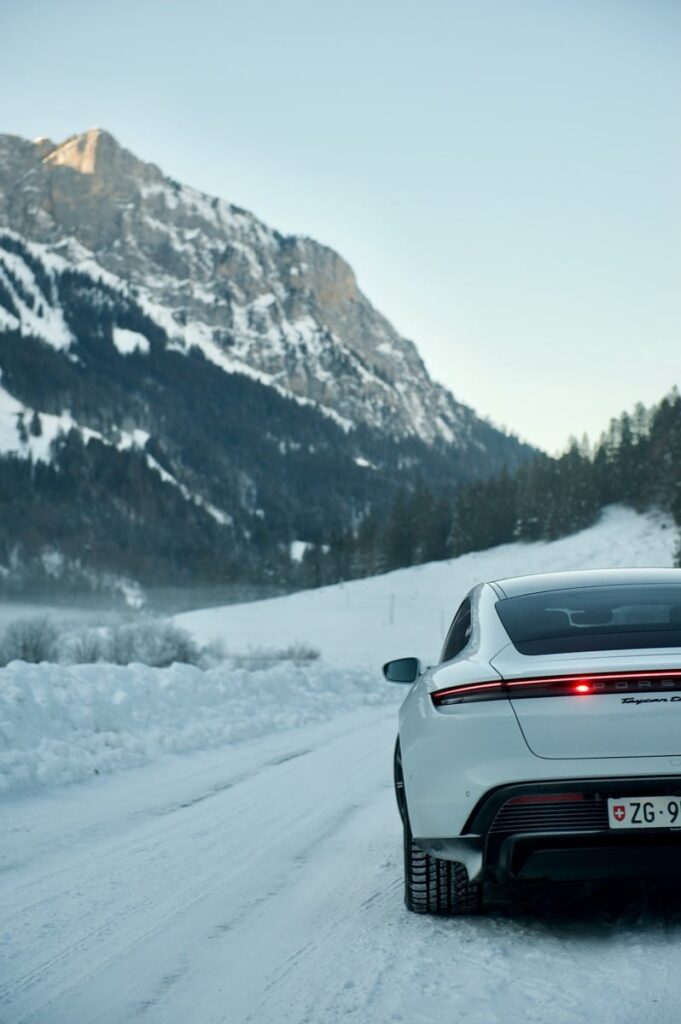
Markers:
{"x": 505, "y": 839}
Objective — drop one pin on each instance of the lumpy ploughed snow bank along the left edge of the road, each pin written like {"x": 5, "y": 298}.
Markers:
{"x": 61, "y": 724}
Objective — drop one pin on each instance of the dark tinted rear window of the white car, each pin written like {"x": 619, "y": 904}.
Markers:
{"x": 594, "y": 619}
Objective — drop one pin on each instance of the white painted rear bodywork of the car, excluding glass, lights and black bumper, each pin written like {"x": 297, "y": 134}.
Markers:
{"x": 453, "y": 756}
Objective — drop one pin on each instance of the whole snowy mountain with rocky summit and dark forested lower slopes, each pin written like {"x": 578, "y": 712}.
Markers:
{"x": 164, "y": 350}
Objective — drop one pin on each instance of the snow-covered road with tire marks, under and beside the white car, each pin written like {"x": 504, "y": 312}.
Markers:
{"x": 263, "y": 883}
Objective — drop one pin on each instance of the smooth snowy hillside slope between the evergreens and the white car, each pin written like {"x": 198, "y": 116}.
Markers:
{"x": 407, "y": 613}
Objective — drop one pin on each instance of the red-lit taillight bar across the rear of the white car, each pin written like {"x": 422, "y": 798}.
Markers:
{"x": 562, "y": 687}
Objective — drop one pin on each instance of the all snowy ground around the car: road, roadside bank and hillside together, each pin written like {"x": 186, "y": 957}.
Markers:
{"x": 235, "y": 854}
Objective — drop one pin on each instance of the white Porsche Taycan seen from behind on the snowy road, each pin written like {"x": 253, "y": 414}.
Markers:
{"x": 547, "y": 743}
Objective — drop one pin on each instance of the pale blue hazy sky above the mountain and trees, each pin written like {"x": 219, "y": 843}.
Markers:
{"x": 503, "y": 176}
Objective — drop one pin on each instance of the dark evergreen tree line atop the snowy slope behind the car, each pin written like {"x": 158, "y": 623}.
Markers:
{"x": 637, "y": 462}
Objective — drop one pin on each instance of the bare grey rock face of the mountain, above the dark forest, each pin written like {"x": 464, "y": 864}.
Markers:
{"x": 286, "y": 308}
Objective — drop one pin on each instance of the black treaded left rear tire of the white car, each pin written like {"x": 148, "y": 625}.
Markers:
{"x": 434, "y": 886}
